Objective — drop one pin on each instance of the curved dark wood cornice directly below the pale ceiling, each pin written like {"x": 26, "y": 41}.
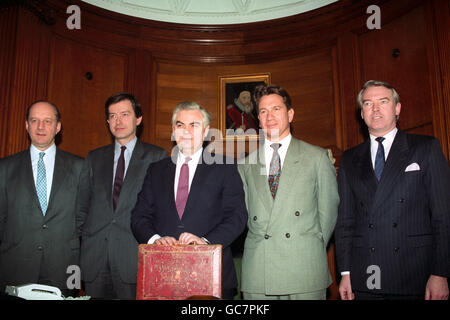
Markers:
{"x": 241, "y": 43}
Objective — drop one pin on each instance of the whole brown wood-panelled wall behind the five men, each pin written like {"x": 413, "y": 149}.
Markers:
{"x": 321, "y": 57}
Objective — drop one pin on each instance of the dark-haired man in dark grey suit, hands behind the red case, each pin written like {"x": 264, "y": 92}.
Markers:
{"x": 108, "y": 248}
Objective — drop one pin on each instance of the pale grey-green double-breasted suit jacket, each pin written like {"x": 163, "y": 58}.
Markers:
{"x": 285, "y": 248}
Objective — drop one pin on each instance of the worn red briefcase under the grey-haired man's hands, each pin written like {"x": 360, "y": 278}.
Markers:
{"x": 179, "y": 271}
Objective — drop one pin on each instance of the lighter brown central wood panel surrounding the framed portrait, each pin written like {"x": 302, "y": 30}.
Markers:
{"x": 309, "y": 79}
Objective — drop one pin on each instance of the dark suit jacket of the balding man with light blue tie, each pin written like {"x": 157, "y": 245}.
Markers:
{"x": 30, "y": 239}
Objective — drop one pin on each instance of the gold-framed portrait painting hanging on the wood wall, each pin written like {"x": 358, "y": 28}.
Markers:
{"x": 230, "y": 89}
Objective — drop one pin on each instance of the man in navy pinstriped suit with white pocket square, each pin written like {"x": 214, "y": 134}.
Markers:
{"x": 393, "y": 228}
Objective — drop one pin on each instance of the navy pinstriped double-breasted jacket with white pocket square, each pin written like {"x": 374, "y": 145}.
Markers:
{"x": 400, "y": 224}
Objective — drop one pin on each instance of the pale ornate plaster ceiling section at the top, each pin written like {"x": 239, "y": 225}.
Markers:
{"x": 210, "y": 12}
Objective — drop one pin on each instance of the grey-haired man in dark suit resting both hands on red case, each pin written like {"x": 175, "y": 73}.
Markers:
{"x": 185, "y": 199}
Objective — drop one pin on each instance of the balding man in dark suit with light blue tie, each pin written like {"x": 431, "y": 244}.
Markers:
{"x": 43, "y": 191}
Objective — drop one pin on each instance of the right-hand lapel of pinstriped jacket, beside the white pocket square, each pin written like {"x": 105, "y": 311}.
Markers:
{"x": 395, "y": 164}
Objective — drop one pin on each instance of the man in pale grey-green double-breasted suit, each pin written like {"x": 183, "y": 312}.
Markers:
{"x": 292, "y": 201}
